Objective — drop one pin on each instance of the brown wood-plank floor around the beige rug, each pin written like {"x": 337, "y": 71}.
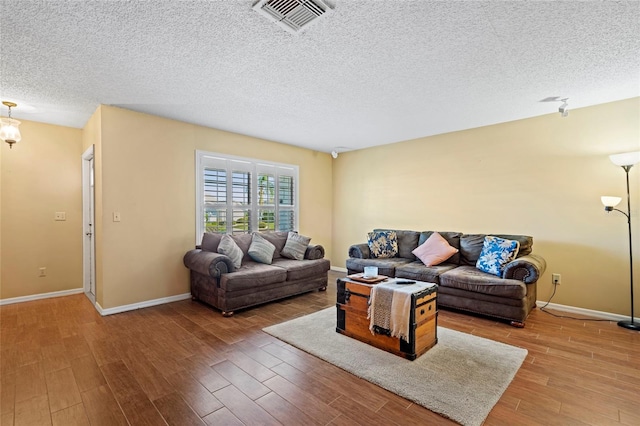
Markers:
{"x": 183, "y": 364}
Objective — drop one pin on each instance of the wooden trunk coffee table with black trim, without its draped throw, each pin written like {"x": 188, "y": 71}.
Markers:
{"x": 352, "y": 306}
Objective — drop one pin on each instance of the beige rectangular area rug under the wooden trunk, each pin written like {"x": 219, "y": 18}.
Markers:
{"x": 461, "y": 377}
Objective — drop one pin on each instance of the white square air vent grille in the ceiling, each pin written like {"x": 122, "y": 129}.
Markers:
{"x": 293, "y": 15}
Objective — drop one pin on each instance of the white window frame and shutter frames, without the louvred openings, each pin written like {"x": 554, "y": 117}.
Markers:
{"x": 232, "y": 163}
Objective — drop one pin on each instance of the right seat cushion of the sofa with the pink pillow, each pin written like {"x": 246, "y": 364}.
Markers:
{"x": 469, "y": 278}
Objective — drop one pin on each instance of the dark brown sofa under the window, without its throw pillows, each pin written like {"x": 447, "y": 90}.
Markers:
{"x": 216, "y": 281}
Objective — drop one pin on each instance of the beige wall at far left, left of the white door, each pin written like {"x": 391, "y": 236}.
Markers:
{"x": 41, "y": 176}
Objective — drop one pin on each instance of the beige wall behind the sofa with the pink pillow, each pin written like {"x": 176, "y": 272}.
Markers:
{"x": 541, "y": 176}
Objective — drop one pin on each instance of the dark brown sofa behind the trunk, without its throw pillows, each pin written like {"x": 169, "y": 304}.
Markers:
{"x": 460, "y": 284}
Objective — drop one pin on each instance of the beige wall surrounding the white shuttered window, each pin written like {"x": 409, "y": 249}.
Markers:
{"x": 147, "y": 175}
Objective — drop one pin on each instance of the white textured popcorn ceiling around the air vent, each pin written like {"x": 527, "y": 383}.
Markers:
{"x": 371, "y": 73}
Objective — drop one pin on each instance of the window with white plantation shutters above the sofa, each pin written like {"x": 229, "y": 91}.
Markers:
{"x": 239, "y": 195}
